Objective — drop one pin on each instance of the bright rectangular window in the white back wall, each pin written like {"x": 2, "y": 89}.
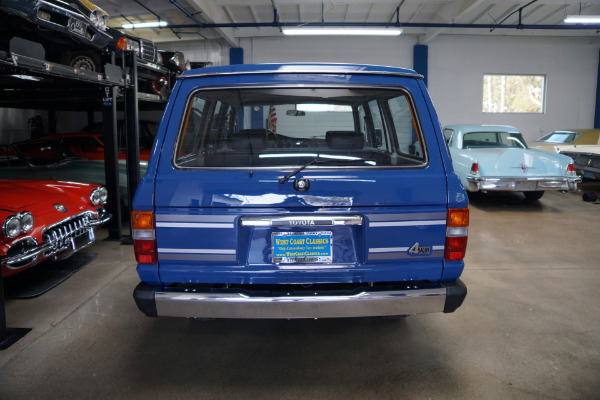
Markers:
{"x": 513, "y": 93}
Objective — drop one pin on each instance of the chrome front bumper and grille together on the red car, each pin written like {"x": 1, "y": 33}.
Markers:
{"x": 70, "y": 235}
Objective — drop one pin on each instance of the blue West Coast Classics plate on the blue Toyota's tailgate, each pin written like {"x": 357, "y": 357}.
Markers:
{"x": 301, "y": 247}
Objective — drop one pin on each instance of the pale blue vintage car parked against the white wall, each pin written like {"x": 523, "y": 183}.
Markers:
{"x": 496, "y": 157}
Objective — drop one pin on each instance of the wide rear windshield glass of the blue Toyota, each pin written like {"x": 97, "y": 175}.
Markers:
{"x": 278, "y": 127}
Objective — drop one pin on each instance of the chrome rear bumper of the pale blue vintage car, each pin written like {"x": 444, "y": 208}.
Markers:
{"x": 522, "y": 184}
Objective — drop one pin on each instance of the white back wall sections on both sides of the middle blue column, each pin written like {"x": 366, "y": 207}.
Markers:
{"x": 456, "y": 68}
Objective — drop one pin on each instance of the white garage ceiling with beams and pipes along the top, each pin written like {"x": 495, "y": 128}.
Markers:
{"x": 229, "y": 20}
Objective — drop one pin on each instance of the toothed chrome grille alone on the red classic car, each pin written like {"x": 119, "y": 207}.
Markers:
{"x": 62, "y": 235}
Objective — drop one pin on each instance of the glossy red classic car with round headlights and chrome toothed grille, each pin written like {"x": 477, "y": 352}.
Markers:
{"x": 45, "y": 219}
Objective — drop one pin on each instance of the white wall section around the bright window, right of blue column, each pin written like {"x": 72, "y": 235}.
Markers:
{"x": 457, "y": 65}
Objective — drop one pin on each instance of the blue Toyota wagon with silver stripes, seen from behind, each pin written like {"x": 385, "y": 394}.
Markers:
{"x": 299, "y": 191}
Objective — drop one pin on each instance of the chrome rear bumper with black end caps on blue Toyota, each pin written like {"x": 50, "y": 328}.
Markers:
{"x": 365, "y": 302}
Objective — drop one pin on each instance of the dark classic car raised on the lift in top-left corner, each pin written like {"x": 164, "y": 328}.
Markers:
{"x": 69, "y": 31}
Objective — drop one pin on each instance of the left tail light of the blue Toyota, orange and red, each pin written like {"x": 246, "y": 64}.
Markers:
{"x": 144, "y": 237}
